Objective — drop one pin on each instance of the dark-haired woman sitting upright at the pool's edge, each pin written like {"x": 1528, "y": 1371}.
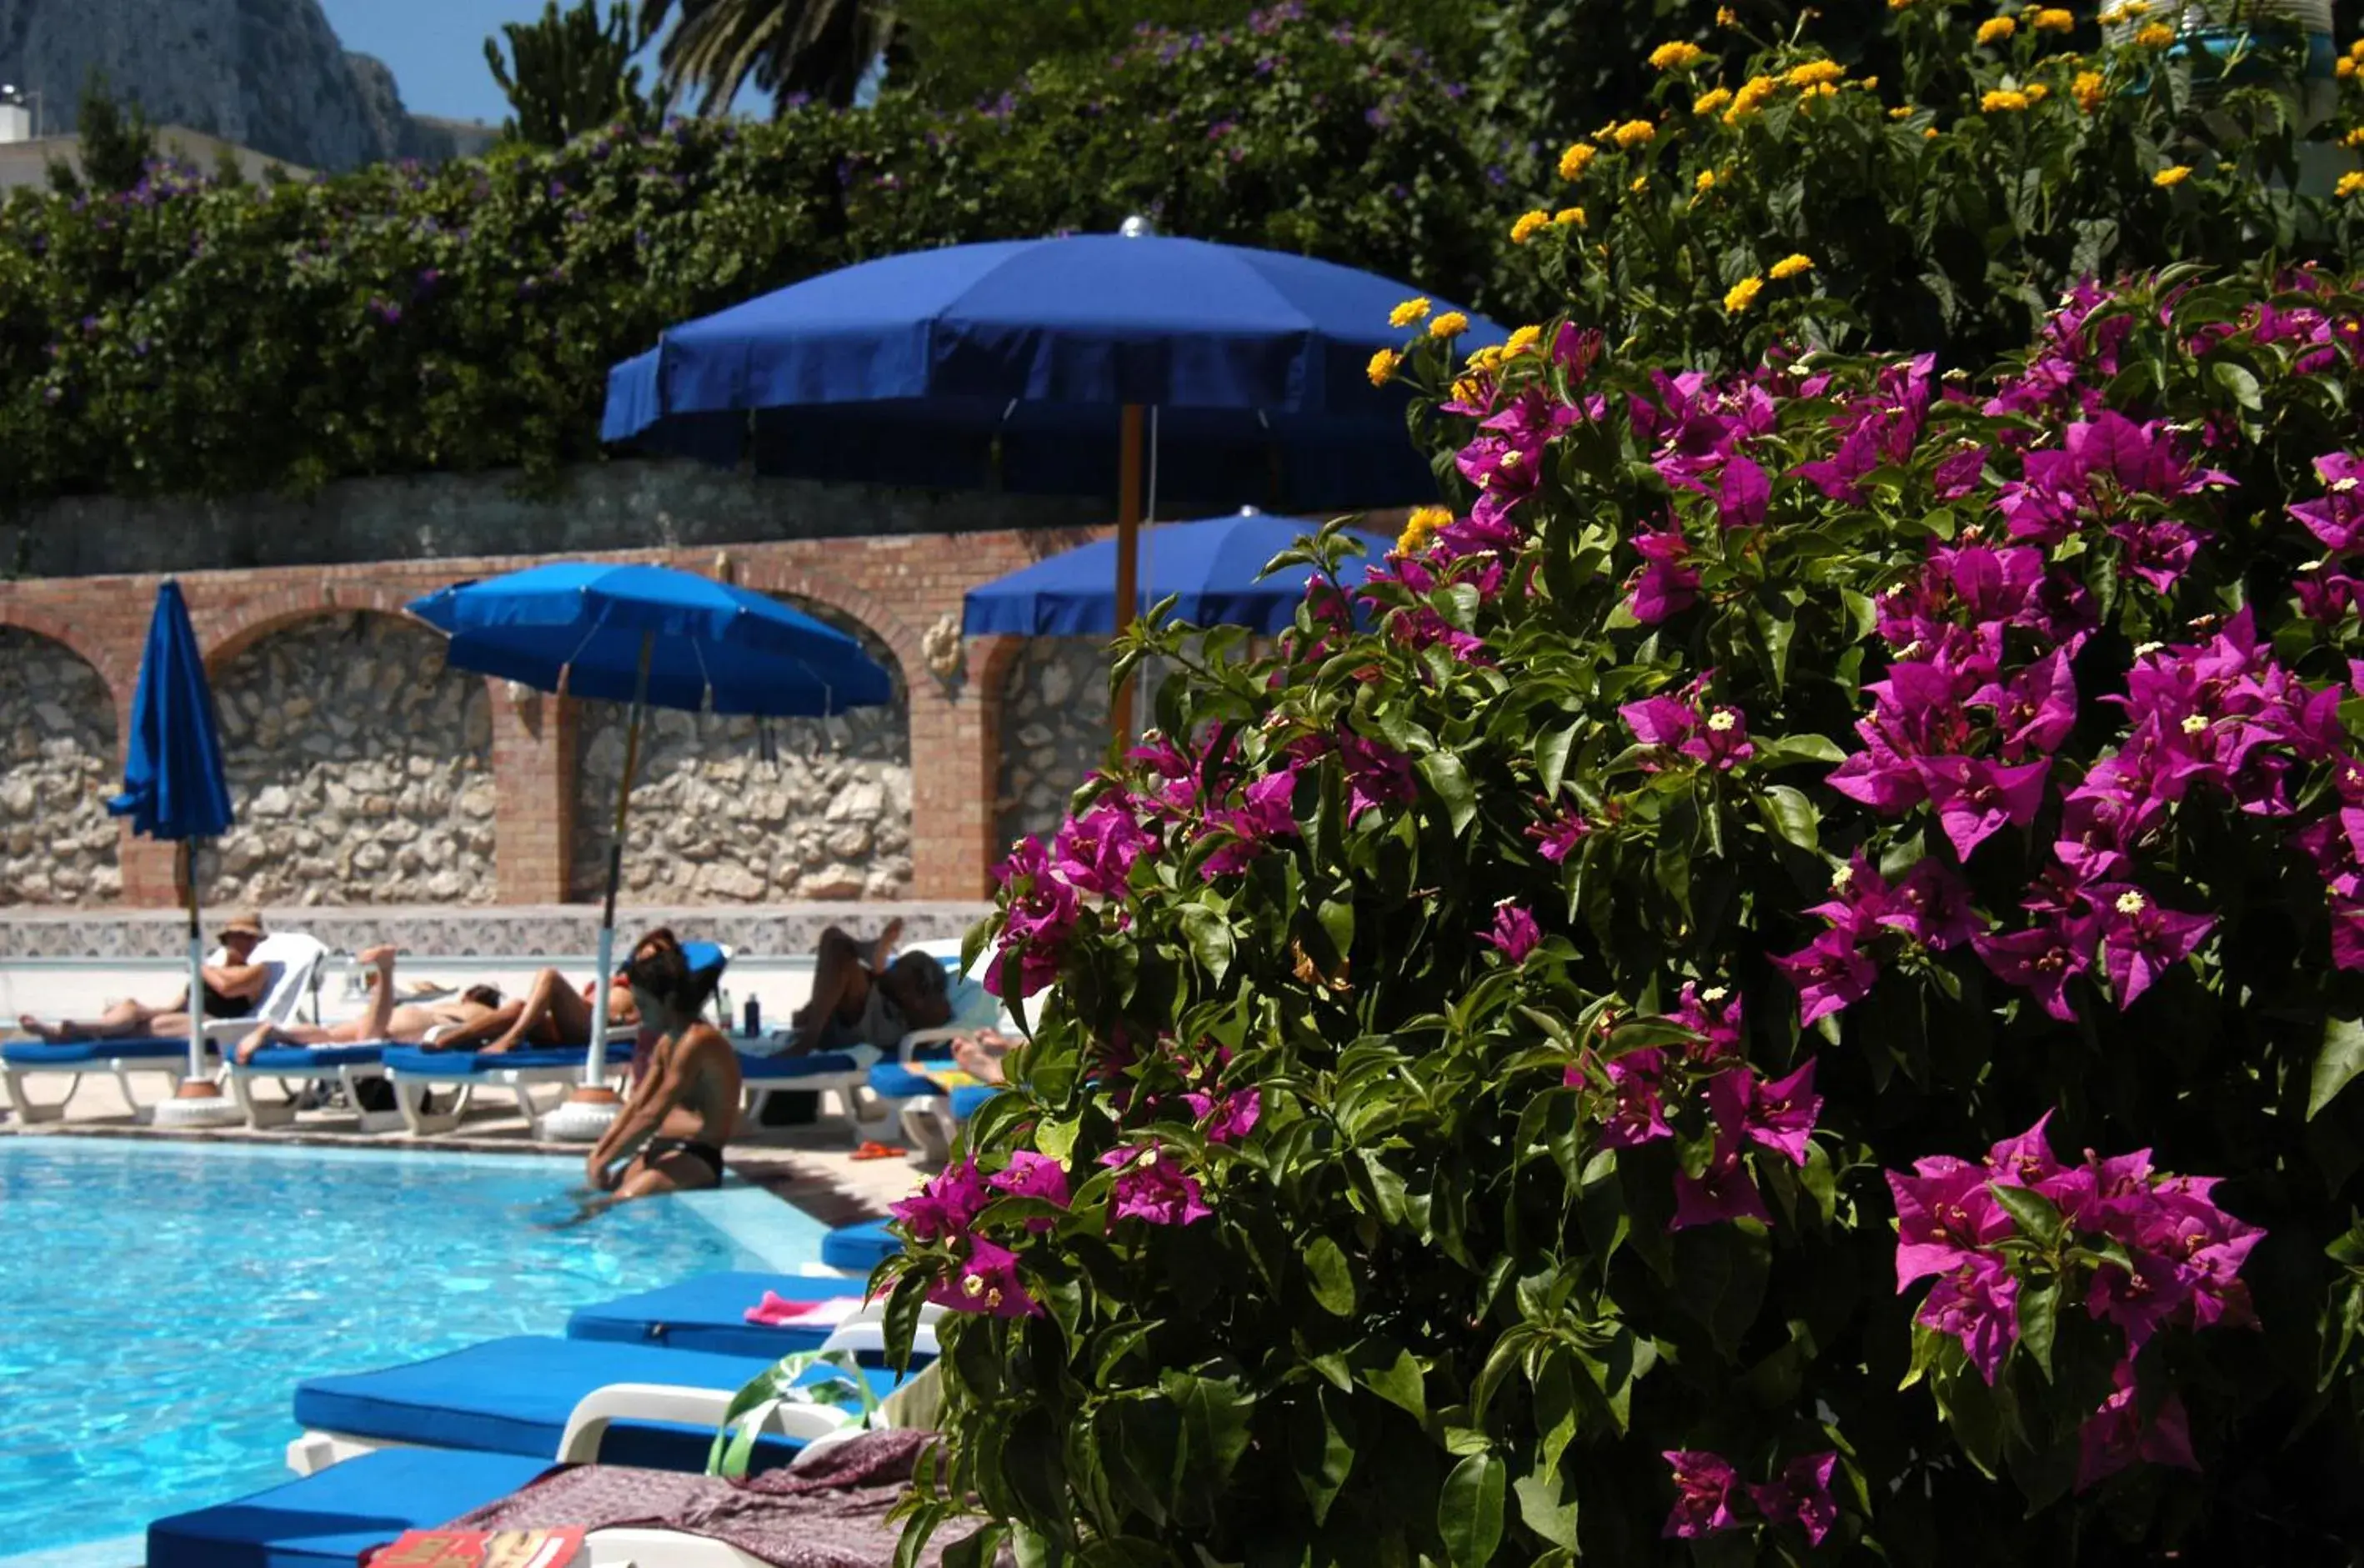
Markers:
{"x": 684, "y": 1103}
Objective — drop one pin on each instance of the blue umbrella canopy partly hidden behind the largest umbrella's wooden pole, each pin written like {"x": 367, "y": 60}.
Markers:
{"x": 1216, "y": 569}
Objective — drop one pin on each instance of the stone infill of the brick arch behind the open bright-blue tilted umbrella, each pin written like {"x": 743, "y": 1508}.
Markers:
{"x": 743, "y": 812}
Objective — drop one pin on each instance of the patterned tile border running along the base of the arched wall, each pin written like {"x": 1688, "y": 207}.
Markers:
{"x": 781, "y": 931}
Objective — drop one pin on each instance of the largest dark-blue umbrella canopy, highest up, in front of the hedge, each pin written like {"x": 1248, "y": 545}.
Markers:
{"x": 1008, "y": 365}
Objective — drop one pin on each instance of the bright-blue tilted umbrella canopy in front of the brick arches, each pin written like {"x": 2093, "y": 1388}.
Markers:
{"x": 583, "y": 630}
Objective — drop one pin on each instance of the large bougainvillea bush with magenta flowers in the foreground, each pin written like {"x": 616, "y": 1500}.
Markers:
{"x": 1786, "y": 983}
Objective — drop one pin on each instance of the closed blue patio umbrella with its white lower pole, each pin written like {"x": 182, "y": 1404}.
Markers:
{"x": 174, "y": 784}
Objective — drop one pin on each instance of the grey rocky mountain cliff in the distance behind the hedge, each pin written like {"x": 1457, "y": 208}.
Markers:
{"x": 266, "y": 74}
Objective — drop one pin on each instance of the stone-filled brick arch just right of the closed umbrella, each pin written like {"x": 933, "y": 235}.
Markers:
{"x": 361, "y": 770}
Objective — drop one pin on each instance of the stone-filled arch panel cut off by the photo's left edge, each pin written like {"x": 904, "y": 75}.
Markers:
{"x": 58, "y": 767}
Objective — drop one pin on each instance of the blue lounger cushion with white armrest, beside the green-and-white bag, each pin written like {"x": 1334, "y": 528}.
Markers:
{"x": 512, "y": 1397}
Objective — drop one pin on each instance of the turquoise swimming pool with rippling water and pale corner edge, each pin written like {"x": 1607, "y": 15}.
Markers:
{"x": 162, "y": 1302}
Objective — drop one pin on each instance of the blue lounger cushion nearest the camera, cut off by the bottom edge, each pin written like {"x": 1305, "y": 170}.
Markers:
{"x": 339, "y": 1512}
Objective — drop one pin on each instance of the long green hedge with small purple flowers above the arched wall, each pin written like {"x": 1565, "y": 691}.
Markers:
{"x": 197, "y": 339}
